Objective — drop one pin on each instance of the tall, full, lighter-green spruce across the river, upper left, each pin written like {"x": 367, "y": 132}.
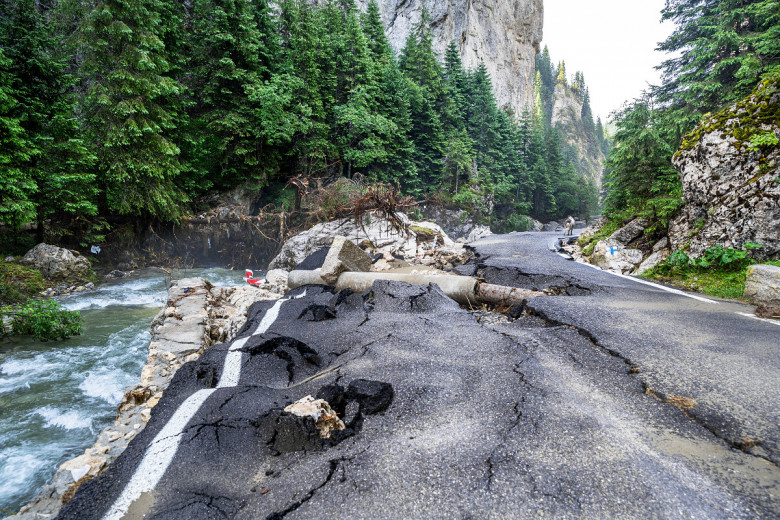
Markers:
{"x": 131, "y": 107}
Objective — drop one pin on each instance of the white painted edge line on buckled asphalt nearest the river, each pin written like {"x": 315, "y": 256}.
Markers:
{"x": 160, "y": 453}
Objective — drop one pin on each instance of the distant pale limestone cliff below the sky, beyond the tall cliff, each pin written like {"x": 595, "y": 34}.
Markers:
{"x": 567, "y": 117}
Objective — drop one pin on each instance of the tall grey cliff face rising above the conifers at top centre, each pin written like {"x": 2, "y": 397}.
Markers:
{"x": 505, "y": 34}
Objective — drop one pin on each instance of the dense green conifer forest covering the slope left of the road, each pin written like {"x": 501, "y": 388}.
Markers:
{"x": 114, "y": 111}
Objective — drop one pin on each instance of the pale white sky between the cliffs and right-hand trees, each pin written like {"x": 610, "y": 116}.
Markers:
{"x": 611, "y": 41}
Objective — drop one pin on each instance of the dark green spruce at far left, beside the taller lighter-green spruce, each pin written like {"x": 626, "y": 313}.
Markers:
{"x": 59, "y": 164}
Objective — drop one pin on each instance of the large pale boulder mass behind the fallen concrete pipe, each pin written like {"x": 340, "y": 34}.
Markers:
{"x": 376, "y": 233}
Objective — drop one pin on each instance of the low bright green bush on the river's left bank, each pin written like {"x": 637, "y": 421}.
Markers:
{"x": 43, "y": 319}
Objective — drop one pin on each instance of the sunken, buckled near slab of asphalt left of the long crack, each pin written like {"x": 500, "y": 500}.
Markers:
{"x": 510, "y": 420}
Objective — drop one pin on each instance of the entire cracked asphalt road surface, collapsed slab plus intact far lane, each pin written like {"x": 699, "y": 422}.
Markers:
{"x": 545, "y": 416}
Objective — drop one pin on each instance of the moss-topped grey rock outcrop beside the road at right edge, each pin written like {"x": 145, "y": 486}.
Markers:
{"x": 732, "y": 188}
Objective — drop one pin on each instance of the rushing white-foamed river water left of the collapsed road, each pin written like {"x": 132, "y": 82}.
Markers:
{"x": 55, "y": 397}
